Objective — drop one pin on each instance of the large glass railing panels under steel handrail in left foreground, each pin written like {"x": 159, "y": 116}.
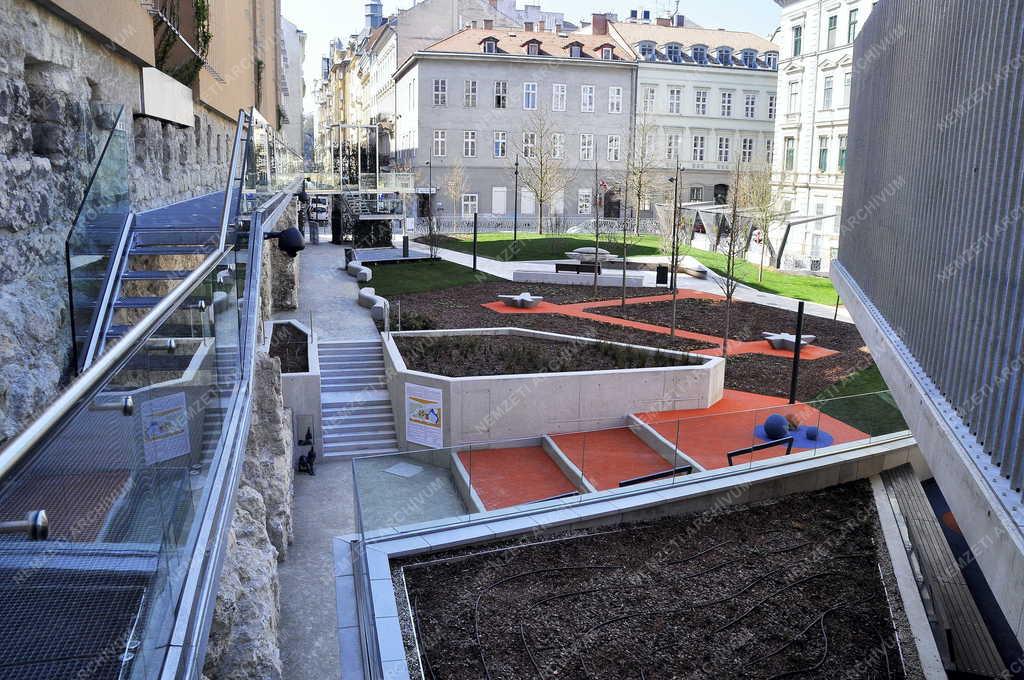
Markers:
{"x": 123, "y": 483}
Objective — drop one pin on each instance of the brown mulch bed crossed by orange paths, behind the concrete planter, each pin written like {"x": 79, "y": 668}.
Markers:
{"x": 461, "y": 308}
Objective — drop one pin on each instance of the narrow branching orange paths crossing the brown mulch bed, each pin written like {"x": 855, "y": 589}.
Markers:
{"x": 579, "y": 311}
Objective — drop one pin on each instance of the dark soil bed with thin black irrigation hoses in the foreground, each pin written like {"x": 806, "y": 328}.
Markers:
{"x": 783, "y": 589}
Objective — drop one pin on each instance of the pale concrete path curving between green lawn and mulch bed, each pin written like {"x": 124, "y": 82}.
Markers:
{"x": 745, "y": 293}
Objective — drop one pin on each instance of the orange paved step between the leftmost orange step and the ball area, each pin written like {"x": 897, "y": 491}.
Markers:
{"x": 608, "y": 457}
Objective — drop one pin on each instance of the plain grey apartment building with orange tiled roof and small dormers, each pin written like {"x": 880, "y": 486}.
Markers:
{"x": 471, "y": 104}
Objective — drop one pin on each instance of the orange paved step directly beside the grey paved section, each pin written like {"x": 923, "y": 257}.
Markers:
{"x": 504, "y": 478}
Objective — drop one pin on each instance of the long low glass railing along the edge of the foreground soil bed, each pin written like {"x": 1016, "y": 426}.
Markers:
{"x": 609, "y": 456}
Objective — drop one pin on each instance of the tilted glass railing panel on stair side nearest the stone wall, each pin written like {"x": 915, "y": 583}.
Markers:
{"x": 96, "y": 240}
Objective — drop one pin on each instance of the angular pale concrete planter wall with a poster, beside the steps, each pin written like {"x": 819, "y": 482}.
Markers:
{"x": 496, "y": 408}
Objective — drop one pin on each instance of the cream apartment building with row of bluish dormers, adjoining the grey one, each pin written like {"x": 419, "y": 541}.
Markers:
{"x": 706, "y": 98}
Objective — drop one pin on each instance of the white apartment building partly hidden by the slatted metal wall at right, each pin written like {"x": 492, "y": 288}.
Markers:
{"x": 816, "y": 80}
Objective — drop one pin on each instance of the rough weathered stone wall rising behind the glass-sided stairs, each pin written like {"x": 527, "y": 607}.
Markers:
{"x": 60, "y": 90}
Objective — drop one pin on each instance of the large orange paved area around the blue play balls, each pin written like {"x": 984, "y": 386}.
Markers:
{"x": 708, "y": 435}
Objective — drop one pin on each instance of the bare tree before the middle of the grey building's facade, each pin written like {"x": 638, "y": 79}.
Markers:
{"x": 542, "y": 165}
